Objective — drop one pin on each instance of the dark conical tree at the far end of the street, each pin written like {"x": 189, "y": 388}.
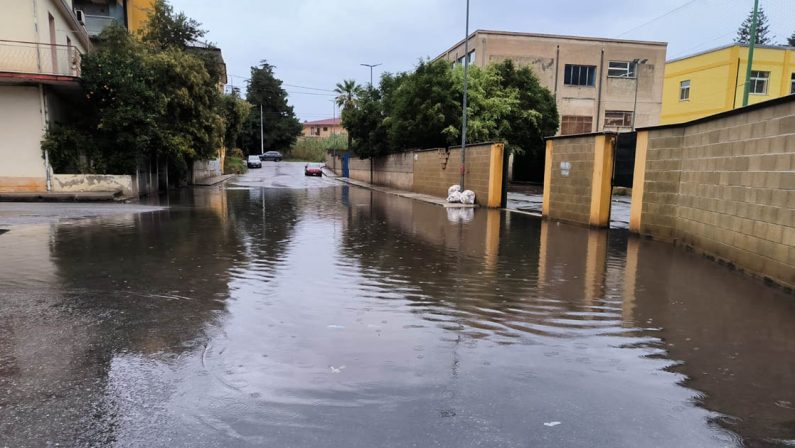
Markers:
{"x": 281, "y": 127}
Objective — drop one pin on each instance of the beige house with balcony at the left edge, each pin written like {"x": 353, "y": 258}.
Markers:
{"x": 41, "y": 43}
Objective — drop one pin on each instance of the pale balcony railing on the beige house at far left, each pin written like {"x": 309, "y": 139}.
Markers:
{"x": 39, "y": 58}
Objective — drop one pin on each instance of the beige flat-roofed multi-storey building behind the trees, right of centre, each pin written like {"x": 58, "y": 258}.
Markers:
{"x": 599, "y": 84}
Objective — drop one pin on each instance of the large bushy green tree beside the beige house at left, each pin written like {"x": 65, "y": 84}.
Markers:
{"x": 141, "y": 101}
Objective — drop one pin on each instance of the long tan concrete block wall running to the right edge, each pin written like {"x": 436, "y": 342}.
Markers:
{"x": 725, "y": 185}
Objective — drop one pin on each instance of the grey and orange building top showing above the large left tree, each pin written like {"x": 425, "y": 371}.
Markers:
{"x": 97, "y": 15}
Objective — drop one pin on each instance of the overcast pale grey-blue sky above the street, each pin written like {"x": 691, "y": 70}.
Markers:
{"x": 316, "y": 43}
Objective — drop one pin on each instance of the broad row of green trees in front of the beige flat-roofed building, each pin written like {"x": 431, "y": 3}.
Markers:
{"x": 422, "y": 109}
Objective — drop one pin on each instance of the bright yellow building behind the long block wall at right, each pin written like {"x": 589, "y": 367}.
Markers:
{"x": 713, "y": 81}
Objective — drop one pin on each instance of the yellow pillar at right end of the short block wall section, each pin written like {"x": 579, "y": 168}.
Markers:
{"x": 601, "y": 182}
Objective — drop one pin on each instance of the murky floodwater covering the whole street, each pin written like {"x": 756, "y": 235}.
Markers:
{"x": 287, "y": 311}
